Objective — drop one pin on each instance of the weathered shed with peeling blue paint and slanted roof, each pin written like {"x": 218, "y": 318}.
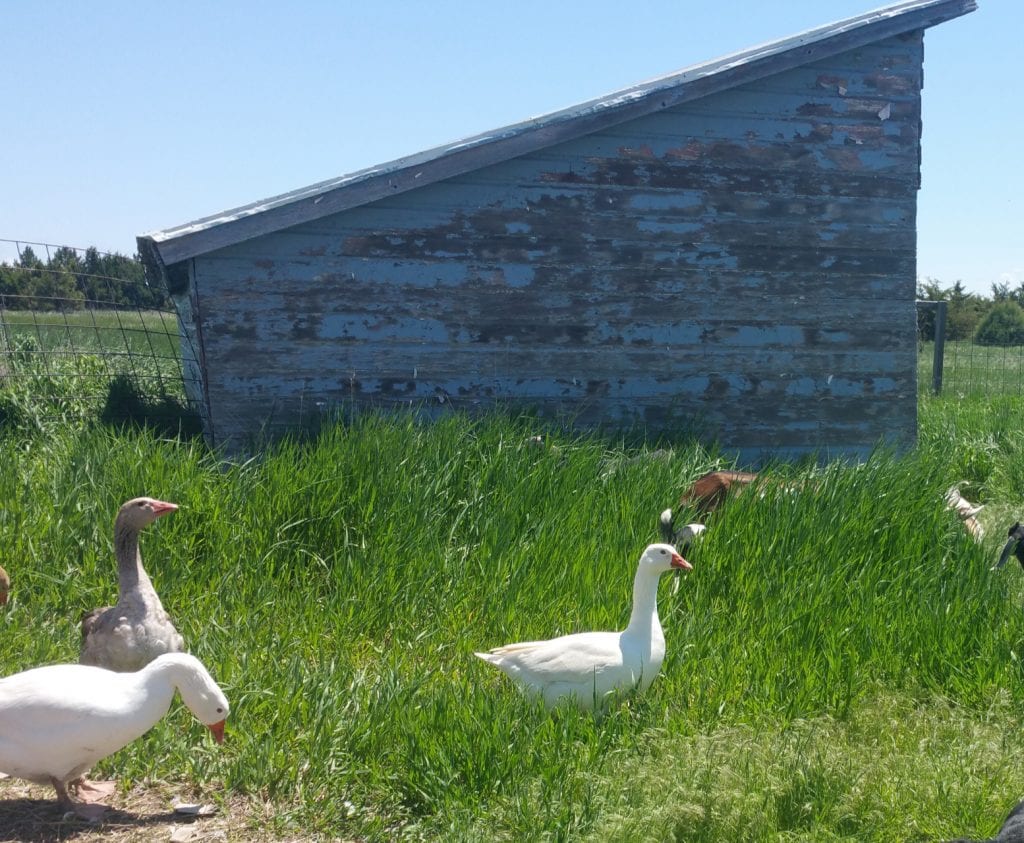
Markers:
{"x": 732, "y": 246}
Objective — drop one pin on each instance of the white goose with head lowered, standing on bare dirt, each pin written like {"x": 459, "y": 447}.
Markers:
{"x": 58, "y": 722}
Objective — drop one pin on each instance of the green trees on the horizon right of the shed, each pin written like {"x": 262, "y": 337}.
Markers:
{"x": 988, "y": 321}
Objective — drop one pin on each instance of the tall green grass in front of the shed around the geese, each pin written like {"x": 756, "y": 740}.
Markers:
{"x": 842, "y": 663}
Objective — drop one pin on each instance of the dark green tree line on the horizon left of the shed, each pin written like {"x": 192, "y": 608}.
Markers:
{"x": 73, "y": 280}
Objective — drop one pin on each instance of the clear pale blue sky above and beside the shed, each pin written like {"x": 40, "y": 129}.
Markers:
{"x": 121, "y": 118}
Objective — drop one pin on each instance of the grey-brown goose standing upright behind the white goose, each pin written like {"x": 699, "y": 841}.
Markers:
{"x": 130, "y": 636}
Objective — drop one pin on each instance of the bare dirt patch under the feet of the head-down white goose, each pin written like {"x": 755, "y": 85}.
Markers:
{"x": 30, "y": 814}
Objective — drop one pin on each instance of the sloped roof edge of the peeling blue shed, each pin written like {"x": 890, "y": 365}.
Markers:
{"x": 357, "y": 189}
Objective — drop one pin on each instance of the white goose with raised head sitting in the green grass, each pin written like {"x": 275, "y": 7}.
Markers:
{"x": 589, "y": 666}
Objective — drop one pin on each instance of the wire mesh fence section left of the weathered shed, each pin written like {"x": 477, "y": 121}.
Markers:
{"x": 82, "y": 334}
